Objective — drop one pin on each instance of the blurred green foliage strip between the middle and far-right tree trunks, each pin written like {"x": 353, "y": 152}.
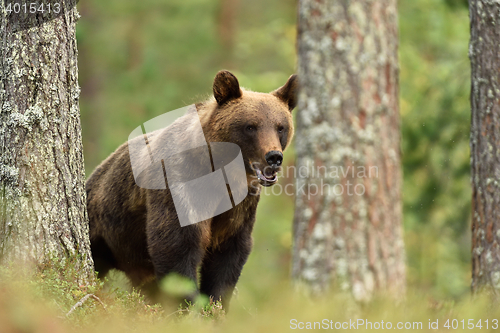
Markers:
{"x": 435, "y": 113}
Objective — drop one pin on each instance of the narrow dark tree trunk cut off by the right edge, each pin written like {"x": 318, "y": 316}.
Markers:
{"x": 484, "y": 53}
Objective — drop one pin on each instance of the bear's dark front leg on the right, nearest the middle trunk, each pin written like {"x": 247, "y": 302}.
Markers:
{"x": 222, "y": 265}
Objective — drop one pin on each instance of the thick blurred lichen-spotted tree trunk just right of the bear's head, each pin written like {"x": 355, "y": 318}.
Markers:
{"x": 347, "y": 226}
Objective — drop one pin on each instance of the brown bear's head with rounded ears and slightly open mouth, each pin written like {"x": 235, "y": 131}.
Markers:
{"x": 259, "y": 123}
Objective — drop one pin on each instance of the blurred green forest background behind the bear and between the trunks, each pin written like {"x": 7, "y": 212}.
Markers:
{"x": 139, "y": 59}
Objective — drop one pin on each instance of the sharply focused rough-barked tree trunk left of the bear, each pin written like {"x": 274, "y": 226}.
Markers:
{"x": 42, "y": 195}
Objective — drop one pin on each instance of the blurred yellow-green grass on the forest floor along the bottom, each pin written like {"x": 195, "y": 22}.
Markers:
{"x": 42, "y": 304}
